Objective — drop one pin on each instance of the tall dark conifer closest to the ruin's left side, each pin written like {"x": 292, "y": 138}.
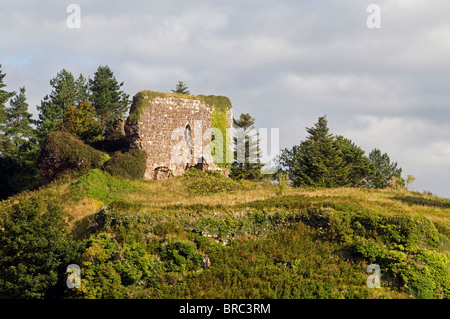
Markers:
{"x": 109, "y": 101}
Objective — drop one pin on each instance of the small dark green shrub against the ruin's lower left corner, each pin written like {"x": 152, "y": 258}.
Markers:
{"x": 130, "y": 164}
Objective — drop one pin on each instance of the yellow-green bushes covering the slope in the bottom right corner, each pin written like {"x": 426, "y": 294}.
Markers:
{"x": 403, "y": 246}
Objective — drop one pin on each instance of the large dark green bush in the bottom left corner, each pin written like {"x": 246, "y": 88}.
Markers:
{"x": 35, "y": 248}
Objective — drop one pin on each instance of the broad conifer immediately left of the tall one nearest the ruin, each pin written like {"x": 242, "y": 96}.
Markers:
{"x": 66, "y": 91}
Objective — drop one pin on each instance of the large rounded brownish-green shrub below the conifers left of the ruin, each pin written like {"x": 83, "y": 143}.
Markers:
{"x": 64, "y": 153}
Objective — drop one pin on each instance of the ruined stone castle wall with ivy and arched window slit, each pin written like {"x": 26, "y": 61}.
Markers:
{"x": 175, "y": 131}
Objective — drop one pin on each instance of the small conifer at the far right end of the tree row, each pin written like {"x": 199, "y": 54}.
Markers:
{"x": 384, "y": 169}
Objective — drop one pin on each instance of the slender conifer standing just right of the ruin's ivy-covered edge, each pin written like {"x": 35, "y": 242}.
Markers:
{"x": 247, "y": 163}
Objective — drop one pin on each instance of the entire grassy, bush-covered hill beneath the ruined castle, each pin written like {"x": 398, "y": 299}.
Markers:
{"x": 205, "y": 236}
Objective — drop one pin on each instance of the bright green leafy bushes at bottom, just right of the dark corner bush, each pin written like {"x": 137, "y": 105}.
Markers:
{"x": 113, "y": 268}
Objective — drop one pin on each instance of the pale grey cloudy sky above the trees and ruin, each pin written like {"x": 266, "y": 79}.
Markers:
{"x": 284, "y": 62}
